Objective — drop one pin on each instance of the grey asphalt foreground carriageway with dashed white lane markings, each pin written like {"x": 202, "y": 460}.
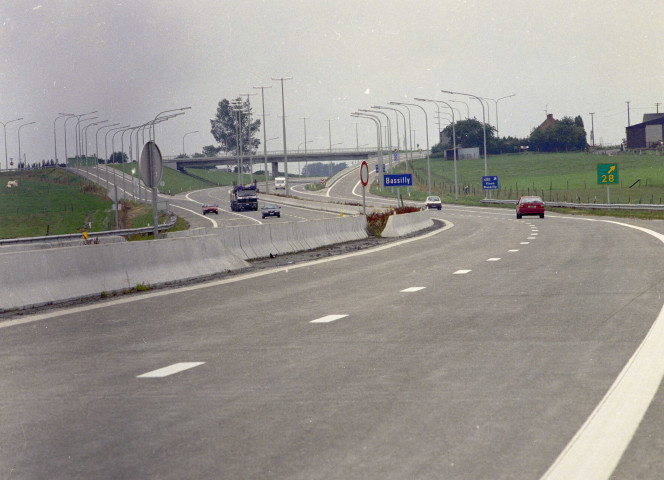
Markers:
{"x": 478, "y": 351}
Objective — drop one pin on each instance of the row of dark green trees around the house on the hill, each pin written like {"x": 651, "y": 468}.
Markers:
{"x": 563, "y": 135}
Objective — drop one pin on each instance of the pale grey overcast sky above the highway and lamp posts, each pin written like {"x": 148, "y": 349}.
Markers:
{"x": 131, "y": 59}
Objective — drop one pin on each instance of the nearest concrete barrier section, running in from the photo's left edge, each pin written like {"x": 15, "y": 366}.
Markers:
{"x": 40, "y": 277}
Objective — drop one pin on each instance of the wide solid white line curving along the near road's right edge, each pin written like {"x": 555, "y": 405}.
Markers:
{"x": 596, "y": 449}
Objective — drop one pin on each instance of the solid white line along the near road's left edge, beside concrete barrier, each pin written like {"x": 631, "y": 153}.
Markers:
{"x": 235, "y": 278}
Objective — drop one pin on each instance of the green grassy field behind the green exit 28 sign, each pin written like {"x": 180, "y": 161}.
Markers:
{"x": 569, "y": 177}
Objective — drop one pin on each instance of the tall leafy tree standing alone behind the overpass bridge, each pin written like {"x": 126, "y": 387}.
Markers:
{"x": 225, "y": 127}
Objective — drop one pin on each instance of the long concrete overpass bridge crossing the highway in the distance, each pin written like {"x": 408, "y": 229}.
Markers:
{"x": 273, "y": 158}
